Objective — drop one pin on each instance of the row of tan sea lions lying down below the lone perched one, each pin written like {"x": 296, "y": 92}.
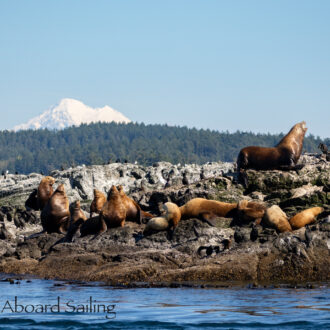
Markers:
{"x": 244, "y": 211}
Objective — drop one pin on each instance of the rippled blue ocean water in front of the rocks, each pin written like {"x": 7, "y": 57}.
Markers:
{"x": 45, "y": 304}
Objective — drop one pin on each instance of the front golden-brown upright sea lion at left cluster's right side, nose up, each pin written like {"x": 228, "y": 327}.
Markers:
{"x": 113, "y": 212}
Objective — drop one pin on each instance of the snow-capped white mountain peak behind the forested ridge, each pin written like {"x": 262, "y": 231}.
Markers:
{"x": 71, "y": 112}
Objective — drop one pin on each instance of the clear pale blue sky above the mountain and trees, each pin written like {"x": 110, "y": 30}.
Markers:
{"x": 258, "y": 66}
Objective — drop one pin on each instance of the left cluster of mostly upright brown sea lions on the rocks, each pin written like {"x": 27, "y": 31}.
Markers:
{"x": 58, "y": 217}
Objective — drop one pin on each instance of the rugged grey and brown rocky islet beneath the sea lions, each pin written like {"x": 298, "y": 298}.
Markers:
{"x": 197, "y": 254}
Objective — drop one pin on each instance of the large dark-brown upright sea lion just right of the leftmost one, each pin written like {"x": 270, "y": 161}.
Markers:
{"x": 56, "y": 214}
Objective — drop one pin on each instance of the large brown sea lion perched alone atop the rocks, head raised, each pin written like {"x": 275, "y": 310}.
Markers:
{"x": 284, "y": 156}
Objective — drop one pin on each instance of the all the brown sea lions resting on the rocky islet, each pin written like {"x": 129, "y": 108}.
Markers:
{"x": 117, "y": 207}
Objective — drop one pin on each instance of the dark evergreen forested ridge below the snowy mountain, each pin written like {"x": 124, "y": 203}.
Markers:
{"x": 44, "y": 150}
